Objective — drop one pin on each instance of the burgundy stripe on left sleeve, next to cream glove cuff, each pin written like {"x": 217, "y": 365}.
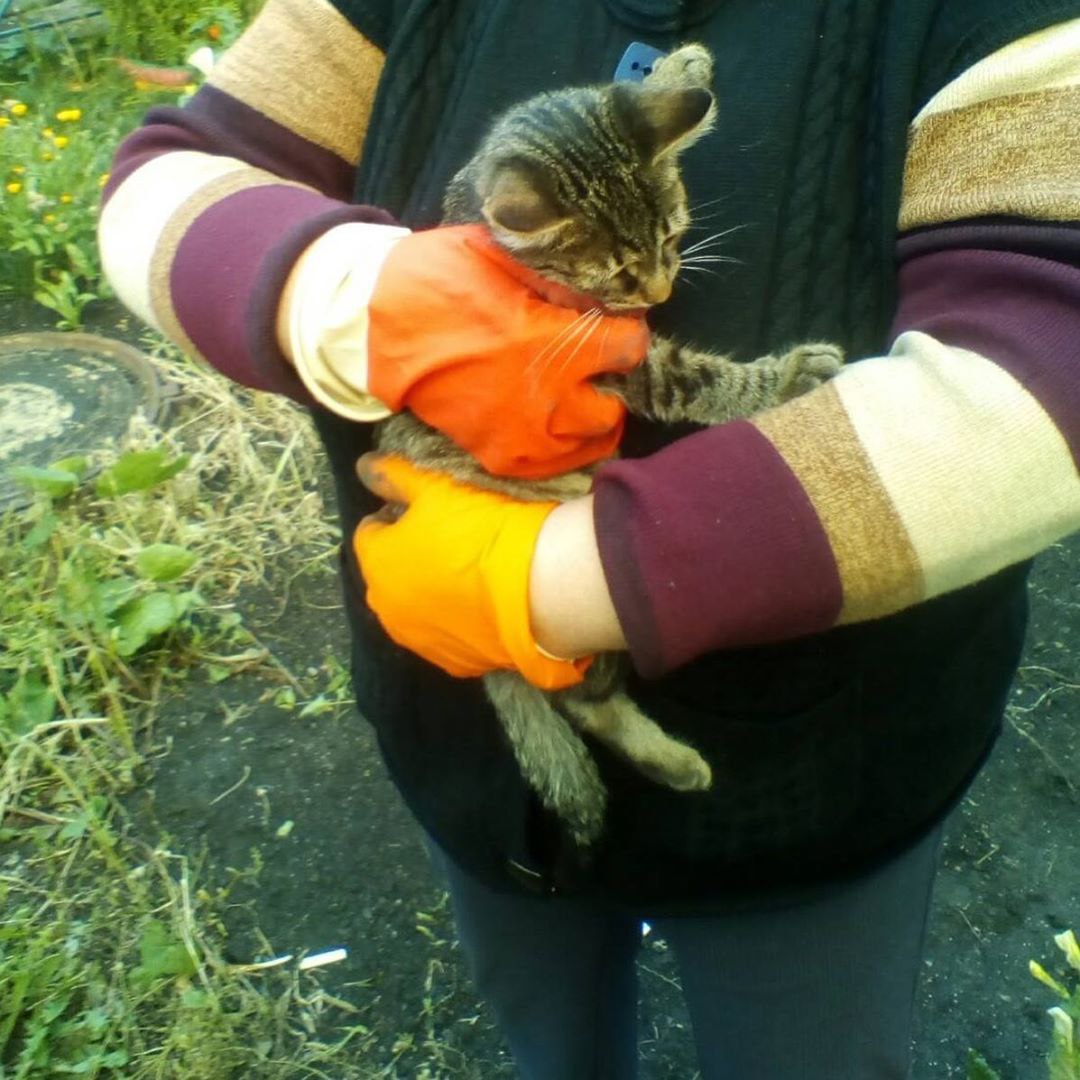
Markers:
{"x": 231, "y": 268}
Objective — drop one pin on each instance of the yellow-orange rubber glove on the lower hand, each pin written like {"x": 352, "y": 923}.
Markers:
{"x": 464, "y": 606}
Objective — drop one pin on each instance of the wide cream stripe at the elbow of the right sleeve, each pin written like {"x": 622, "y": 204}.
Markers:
{"x": 978, "y": 472}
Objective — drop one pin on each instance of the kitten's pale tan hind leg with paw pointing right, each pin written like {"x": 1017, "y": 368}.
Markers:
{"x": 618, "y": 722}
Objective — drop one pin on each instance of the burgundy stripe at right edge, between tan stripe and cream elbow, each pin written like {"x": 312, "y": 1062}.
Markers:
{"x": 1020, "y": 310}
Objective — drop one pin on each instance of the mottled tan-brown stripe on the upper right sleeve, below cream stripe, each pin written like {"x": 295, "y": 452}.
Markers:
{"x": 1014, "y": 156}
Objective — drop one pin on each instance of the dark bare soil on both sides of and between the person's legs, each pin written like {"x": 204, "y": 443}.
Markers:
{"x": 350, "y": 870}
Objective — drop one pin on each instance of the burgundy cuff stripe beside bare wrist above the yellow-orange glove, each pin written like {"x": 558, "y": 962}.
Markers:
{"x": 706, "y": 546}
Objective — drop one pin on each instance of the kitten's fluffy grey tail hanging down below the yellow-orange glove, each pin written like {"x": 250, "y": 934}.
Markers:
{"x": 555, "y": 761}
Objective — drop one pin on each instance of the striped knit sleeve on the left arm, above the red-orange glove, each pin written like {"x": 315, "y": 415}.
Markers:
{"x": 209, "y": 208}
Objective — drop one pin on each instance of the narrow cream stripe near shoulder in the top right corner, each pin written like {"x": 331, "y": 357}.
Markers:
{"x": 1043, "y": 61}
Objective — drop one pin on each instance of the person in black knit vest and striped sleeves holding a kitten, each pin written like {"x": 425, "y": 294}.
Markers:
{"x": 826, "y": 600}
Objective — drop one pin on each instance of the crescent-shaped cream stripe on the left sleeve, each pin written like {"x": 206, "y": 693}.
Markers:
{"x": 134, "y": 219}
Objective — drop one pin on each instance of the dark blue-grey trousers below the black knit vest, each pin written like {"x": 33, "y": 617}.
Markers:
{"x": 823, "y": 991}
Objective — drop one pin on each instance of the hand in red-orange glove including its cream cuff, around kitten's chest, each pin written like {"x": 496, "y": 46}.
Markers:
{"x": 447, "y": 325}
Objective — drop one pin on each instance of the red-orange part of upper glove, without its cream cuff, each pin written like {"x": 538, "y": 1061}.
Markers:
{"x": 483, "y": 349}
